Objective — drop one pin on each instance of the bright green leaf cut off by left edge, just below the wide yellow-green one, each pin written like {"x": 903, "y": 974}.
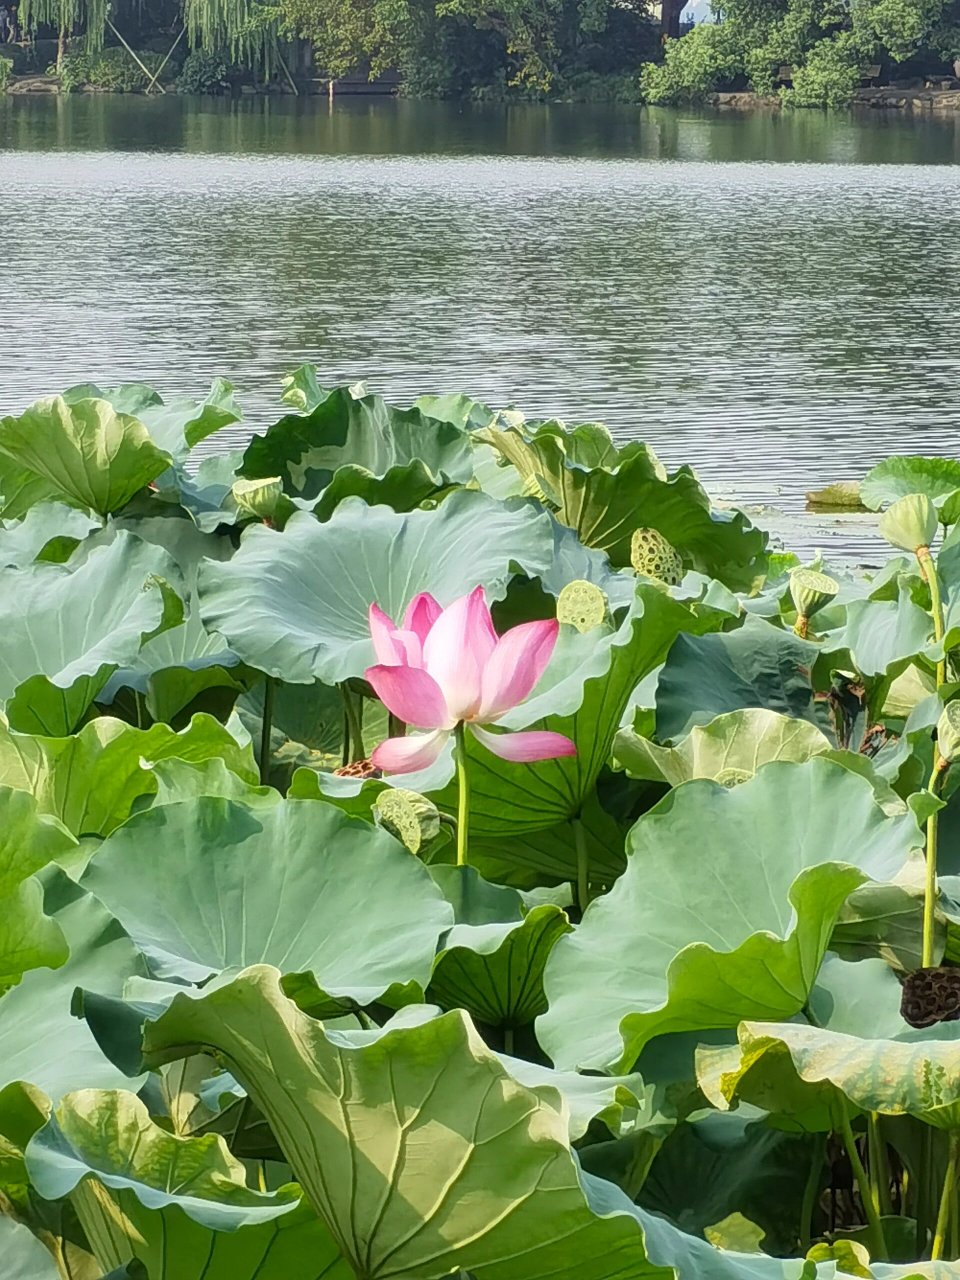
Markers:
{"x": 29, "y": 842}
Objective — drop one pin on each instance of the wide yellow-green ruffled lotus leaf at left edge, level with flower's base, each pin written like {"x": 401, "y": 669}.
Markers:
{"x": 93, "y": 781}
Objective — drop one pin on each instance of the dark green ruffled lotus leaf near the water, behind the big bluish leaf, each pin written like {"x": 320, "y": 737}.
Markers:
{"x": 367, "y": 436}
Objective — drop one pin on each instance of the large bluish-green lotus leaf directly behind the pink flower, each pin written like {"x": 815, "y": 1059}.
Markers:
{"x": 296, "y": 605}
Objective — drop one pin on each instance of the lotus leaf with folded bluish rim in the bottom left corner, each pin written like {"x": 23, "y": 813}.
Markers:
{"x": 179, "y": 1205}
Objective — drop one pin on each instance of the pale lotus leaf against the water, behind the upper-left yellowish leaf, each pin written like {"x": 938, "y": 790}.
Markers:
{"x": 175, "y": 427}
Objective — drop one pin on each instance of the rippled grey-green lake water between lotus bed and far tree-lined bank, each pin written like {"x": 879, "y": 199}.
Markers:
{"x": 774, "y": 299}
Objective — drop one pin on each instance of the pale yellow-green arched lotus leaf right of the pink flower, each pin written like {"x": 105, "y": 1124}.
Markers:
{"x": 740, "y": 740}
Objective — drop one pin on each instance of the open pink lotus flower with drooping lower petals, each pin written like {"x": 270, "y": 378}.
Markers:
{"x": 449, "y": 668}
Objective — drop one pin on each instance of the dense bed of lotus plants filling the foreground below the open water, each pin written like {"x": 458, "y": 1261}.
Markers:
{"x": 438, "y": 843}
